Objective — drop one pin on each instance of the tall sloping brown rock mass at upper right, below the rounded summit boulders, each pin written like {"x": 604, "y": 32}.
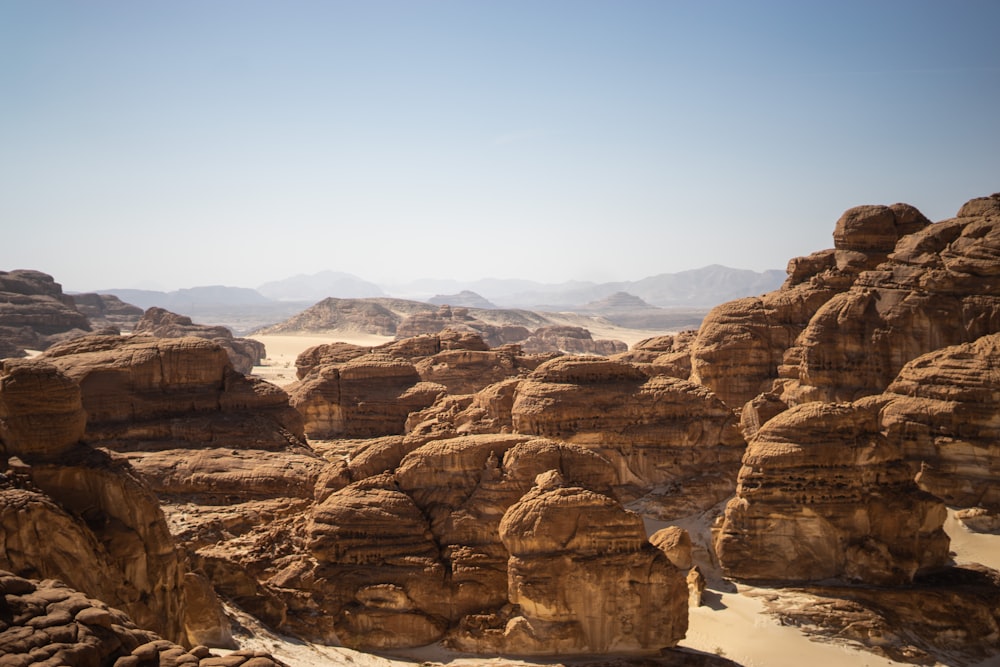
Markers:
{"x": 937, "y": 288}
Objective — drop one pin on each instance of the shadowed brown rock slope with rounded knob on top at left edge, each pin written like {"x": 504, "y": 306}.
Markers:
{"x": 103, "y": 531}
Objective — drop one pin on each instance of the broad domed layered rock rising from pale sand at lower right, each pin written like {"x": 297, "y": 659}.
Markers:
{"x": 823, "y": 494}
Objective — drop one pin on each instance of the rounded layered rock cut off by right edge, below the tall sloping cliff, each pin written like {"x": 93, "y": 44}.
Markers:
{"x": 942, "y": 413}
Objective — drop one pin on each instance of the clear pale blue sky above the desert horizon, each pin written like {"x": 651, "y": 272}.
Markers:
{"x": 175, "y": 143}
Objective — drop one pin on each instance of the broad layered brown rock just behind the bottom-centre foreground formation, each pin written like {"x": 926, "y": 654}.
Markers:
{"x": 662, "y": 434}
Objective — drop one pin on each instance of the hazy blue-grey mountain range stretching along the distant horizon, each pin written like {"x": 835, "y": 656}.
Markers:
{"x": 652, "y": 302}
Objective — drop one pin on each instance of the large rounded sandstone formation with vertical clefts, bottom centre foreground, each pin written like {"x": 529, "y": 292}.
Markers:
{"x": 413, "y": 556}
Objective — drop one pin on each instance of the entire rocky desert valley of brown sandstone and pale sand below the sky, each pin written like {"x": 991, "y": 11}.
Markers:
{"x": 808, "y": 474}
